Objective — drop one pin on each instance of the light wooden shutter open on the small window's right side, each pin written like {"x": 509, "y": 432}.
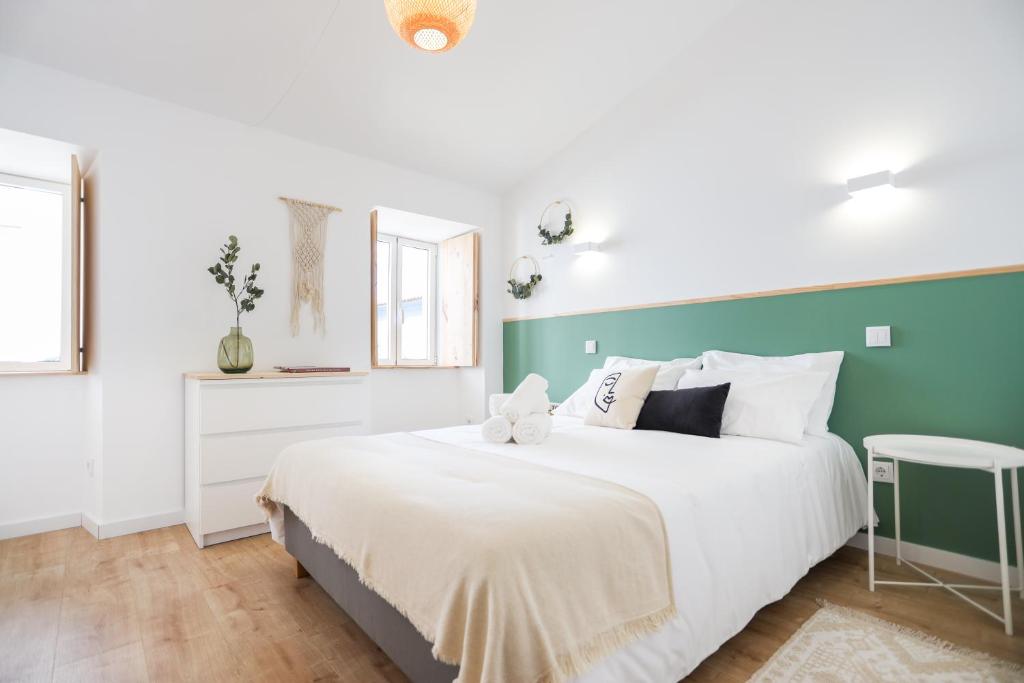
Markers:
{"x": 459, "y": 280}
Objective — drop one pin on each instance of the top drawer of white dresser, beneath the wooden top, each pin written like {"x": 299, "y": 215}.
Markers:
{"x": 263, "y": 405}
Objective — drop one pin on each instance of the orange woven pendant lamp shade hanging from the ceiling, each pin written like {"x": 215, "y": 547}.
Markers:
{"x": 433, "y": 26}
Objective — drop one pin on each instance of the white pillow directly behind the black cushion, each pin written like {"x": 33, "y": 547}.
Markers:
{"x": 764, "y": 405}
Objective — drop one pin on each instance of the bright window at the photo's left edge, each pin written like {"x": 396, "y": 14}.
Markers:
{"x": 39, "y": 271}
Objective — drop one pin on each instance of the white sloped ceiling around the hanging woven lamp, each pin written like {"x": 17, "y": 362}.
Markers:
{"x": 531, "y": 76}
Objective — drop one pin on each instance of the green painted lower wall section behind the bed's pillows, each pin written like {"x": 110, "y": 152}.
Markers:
{"x": 956, "y": 368}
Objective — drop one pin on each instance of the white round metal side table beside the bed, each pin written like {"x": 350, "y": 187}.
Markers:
{"x": 965, "y": 454}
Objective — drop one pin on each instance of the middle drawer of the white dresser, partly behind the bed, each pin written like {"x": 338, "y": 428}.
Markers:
{"x": 231, "y": 457}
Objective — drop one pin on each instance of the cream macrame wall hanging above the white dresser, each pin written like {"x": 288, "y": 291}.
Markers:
{"x": 308, "y": 227}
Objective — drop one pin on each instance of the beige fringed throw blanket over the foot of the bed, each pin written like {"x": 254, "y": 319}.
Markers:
{"x": 515, "y": 572}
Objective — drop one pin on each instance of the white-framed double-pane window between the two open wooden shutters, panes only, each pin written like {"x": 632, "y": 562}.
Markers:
{"x": 407, "y": 295}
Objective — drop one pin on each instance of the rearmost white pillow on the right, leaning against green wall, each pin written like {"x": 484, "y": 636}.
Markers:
{"x": 828, "y": 362}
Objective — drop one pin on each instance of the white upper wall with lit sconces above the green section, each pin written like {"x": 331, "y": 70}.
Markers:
{"x": 724, "y": 174}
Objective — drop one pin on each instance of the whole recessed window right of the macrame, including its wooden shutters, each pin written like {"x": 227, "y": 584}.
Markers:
{"x": 424, "y": 292}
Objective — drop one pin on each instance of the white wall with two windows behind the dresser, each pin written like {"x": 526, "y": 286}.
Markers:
{"x": 175, "y": 184}
